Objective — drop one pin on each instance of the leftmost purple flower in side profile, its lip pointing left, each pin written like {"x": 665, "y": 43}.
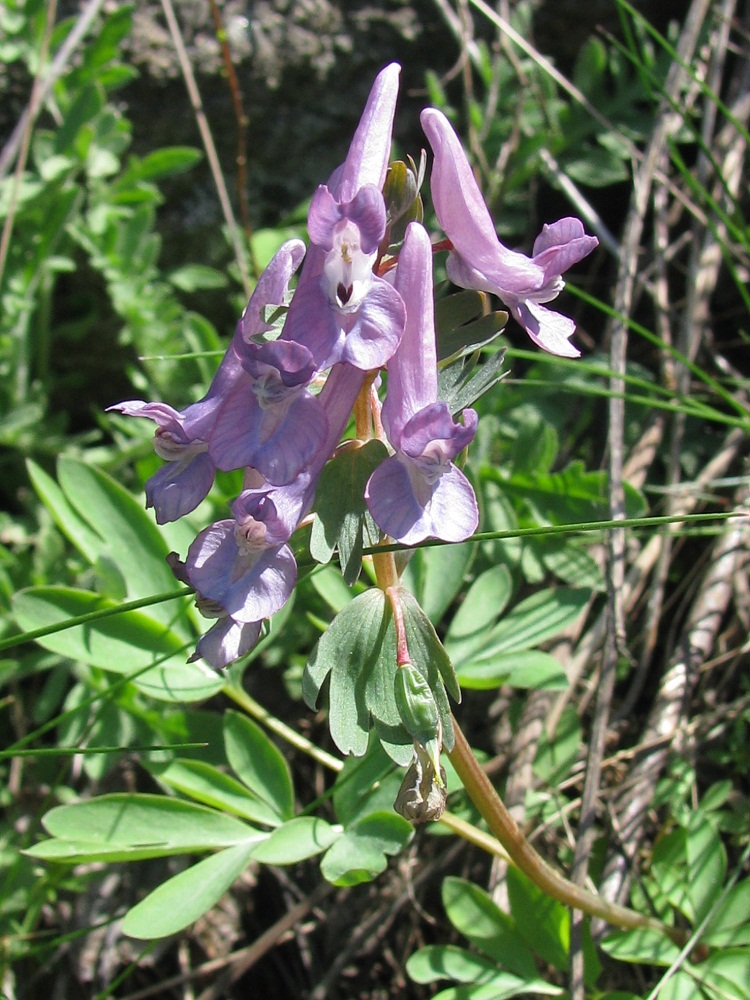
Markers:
{"x": 182, "y": 436}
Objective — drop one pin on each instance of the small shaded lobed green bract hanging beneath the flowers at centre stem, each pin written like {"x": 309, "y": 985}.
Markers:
{"x": 342, "y": 520}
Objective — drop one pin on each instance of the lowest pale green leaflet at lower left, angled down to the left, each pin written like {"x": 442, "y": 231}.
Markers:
{"x": 184, "y": 898}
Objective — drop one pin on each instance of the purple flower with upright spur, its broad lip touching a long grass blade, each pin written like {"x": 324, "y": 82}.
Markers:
{"x": 419, "y": 493}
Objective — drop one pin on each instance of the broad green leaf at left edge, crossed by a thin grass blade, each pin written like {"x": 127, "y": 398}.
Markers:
{"x": 125, "y": 643}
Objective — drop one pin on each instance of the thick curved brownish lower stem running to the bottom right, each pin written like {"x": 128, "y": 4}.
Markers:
{"x": 525, "y": 858}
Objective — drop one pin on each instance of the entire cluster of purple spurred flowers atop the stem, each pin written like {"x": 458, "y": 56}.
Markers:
{"x": 353, "y": 312}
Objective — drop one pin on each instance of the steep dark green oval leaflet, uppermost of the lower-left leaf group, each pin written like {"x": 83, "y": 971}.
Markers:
{"x": 259, "y": 764}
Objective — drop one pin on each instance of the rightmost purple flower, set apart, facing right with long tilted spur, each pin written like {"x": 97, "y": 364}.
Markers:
{"x": 479, "y": 260}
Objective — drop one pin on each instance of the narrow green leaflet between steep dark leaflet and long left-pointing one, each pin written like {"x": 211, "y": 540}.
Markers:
{"x": 211, "y": 787}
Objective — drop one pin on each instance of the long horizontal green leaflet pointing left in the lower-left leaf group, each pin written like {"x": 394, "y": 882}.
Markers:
{"x": 128, "y": 827}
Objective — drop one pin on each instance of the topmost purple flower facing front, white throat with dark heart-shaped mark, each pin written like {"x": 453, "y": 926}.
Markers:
{"x": 342, "y": 311}
